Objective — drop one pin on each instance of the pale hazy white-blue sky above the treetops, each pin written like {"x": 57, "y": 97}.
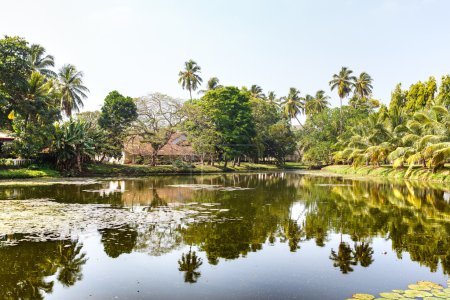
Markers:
{"x": 137, "y": 47}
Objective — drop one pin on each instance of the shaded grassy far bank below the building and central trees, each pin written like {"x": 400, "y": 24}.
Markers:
{"x": 141, "y": 170}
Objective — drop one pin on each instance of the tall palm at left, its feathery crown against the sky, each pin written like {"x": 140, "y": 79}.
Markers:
{"x": 71, "y": 89}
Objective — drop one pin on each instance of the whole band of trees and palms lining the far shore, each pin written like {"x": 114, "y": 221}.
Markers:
{"x": 224, "y": 124}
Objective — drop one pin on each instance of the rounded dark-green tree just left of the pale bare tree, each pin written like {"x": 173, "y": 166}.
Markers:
{"x": 117, "y": 114}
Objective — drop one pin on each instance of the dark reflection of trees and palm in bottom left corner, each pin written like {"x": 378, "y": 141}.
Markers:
{"x": 24, "y": 268}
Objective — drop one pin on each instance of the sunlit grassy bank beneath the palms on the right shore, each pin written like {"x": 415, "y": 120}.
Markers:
{"x": 417, "y": 173}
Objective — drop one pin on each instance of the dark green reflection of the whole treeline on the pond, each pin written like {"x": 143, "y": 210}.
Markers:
{"x": 341, "y": 217}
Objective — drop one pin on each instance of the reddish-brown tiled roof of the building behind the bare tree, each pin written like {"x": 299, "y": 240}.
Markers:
{"x": 178, "y": 145}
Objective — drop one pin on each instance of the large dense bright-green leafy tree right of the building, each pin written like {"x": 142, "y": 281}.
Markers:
{"x": 229, "y": 109}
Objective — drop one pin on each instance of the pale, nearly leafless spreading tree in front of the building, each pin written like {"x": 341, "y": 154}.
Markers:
{"x": 158, "y": 115}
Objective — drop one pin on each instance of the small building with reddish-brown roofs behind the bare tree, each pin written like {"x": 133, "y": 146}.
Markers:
{"x": 178, "y": 147}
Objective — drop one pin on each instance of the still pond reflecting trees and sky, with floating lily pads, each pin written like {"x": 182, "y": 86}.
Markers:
{"x": 289, "y": 235}
